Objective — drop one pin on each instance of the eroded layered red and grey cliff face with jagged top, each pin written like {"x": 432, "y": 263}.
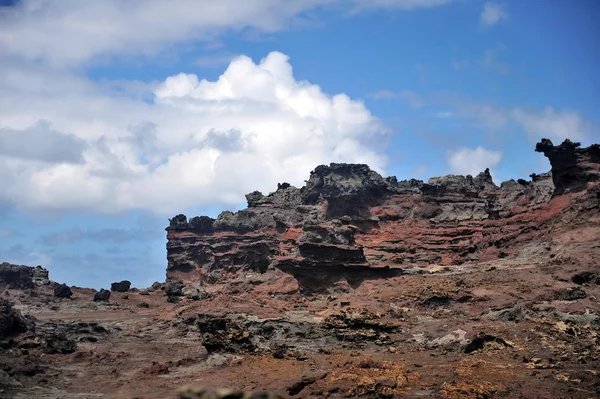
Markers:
{"x": 349, "y": 223}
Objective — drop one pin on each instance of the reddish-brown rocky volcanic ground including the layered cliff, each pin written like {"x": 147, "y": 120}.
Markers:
{"x": 401, "y": 294}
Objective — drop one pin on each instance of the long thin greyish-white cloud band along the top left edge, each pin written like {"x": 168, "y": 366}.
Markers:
{"x": 73, "y": 32}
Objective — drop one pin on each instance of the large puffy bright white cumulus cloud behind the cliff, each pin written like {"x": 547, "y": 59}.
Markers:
{"x": 196, "y": 142}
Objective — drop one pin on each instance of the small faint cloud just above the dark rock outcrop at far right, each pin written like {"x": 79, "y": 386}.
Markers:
{"x": 556, "y": 125}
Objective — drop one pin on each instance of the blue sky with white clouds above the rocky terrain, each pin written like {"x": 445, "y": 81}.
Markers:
{"x": 116, "y": 115}
